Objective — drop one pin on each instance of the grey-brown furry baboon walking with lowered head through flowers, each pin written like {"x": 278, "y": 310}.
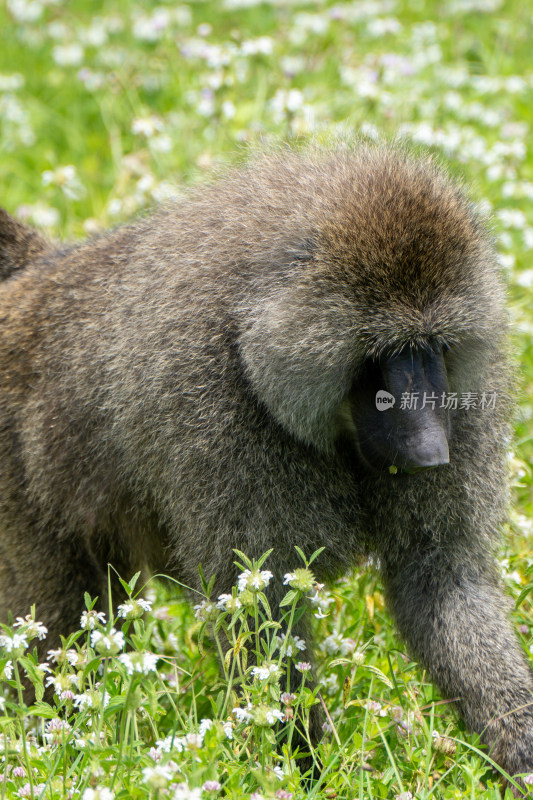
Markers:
{"x": 207, "y": 378}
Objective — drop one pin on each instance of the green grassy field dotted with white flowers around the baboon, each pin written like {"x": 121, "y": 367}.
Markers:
{"x": 107, "y": 107}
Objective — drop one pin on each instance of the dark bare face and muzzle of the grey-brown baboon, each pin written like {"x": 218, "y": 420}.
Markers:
{"x": 398, "y": 408}
